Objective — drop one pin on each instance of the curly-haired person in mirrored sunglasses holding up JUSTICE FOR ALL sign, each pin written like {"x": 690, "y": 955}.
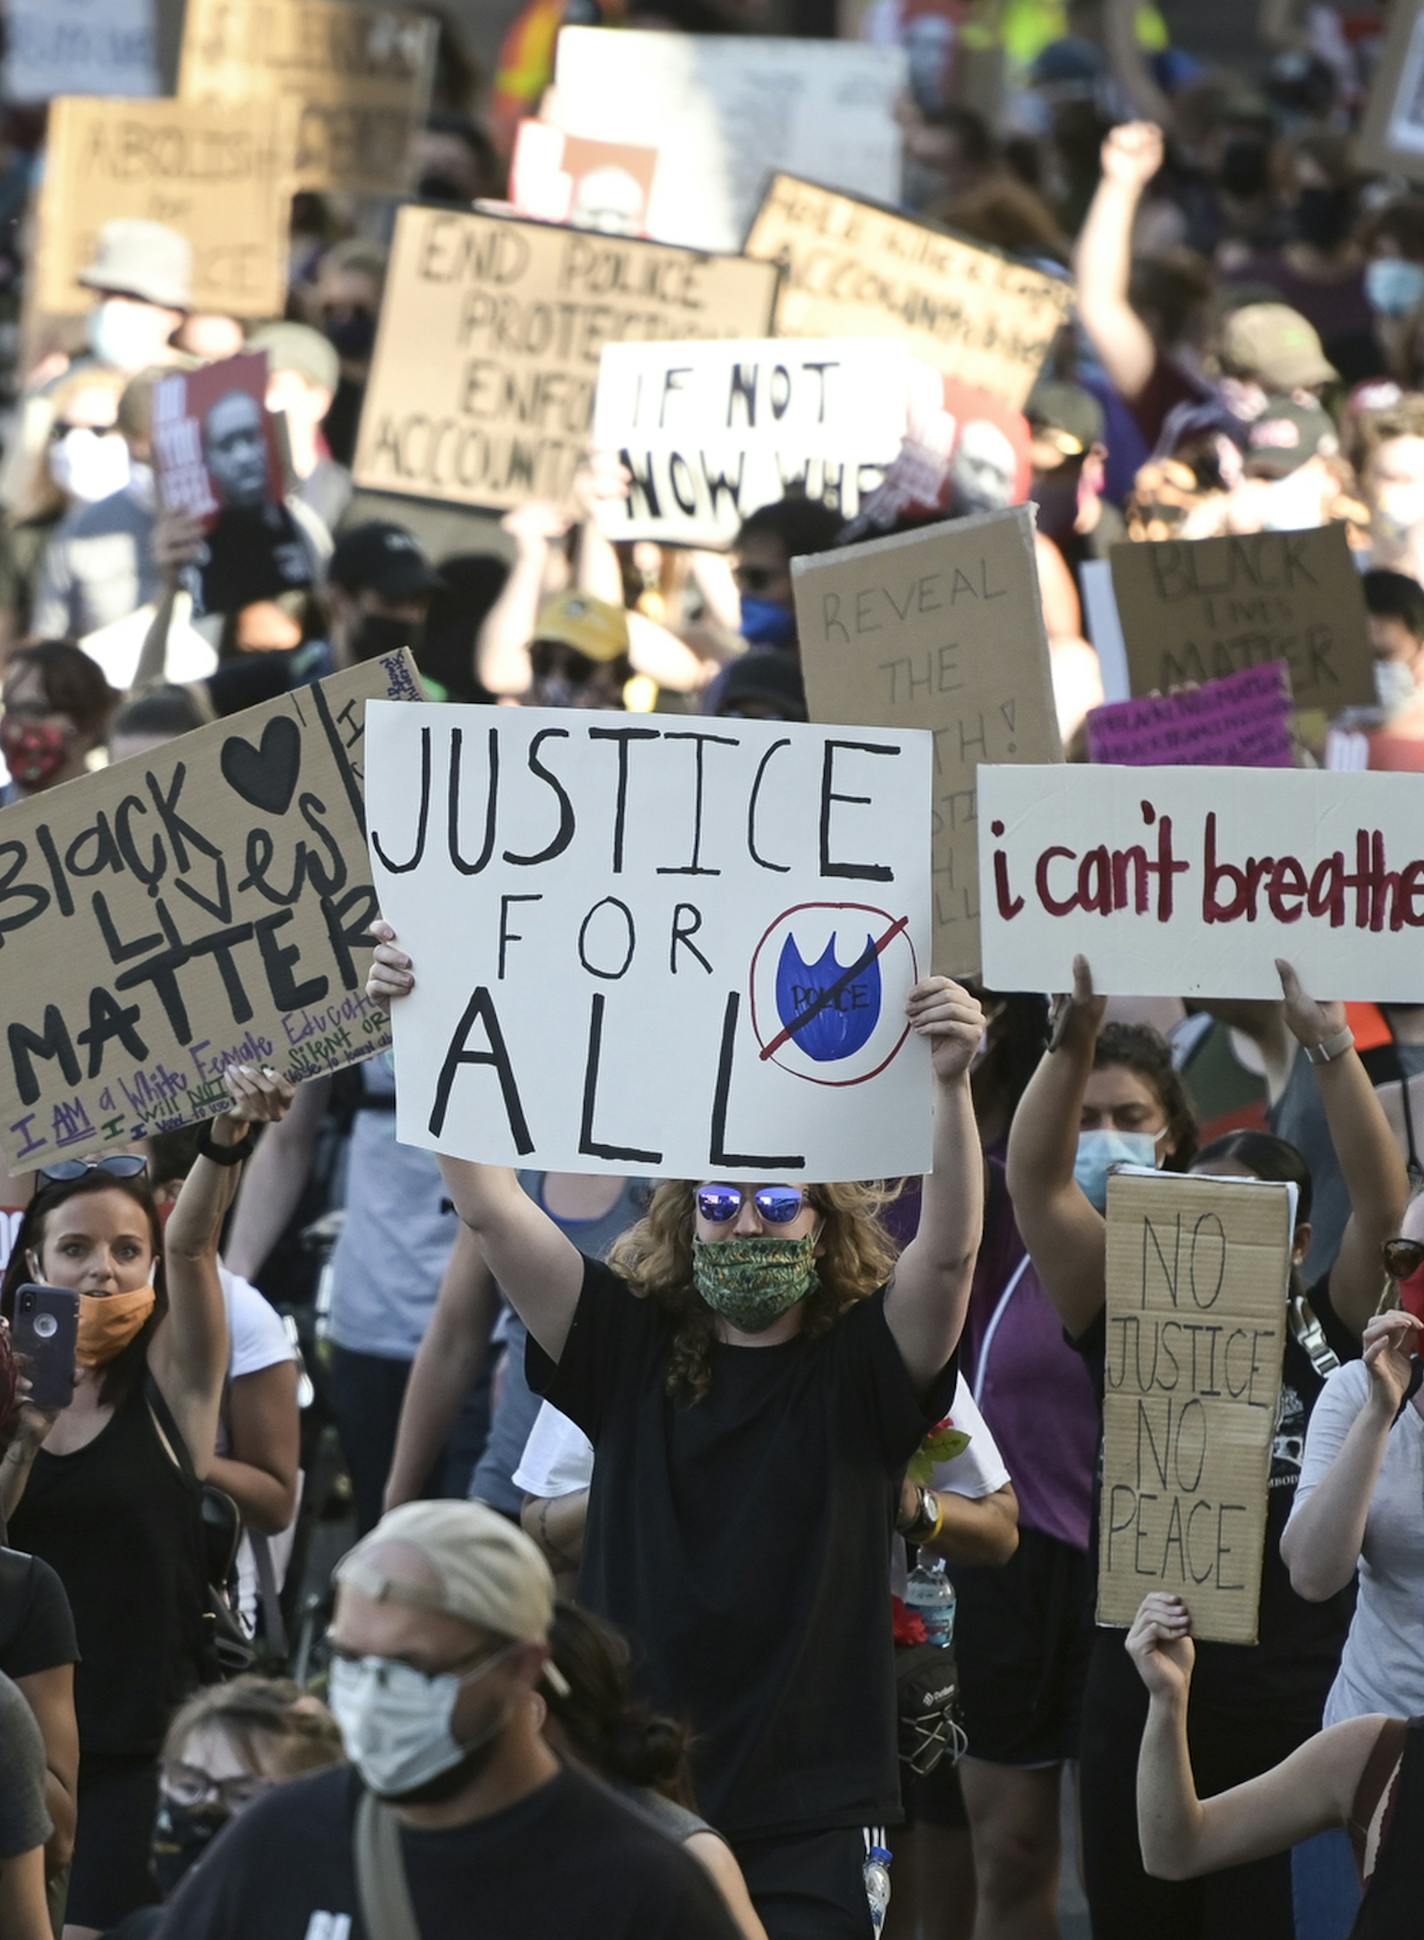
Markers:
{"x": 756, "y": 1371}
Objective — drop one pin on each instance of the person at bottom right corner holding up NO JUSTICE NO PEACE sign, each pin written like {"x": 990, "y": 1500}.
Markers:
{"x": 1361, "y": 1776}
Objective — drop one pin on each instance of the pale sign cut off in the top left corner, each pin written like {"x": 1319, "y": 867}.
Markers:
{"x": 79, "y": 48}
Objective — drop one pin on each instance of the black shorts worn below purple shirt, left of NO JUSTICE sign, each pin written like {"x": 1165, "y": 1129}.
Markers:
{"x": 1023, "y": 1636}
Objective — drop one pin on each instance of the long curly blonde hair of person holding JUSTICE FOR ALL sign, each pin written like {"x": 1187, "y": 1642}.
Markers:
{"x": 857, "y": 1256}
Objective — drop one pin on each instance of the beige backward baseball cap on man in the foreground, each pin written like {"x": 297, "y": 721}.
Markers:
{"x": 488, "y": 1570}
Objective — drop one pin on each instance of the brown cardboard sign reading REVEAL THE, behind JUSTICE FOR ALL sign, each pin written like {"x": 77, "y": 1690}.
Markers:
{"x": 938, "y": 630}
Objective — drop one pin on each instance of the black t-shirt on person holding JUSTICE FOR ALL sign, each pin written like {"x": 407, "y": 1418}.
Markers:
{"x": 744, "y": 1541}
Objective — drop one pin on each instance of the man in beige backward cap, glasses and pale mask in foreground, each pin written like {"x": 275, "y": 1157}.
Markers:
{"x": 455, "y": 1801}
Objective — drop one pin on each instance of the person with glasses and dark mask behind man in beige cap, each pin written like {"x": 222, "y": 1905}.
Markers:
{"x": 226, "y": 1749}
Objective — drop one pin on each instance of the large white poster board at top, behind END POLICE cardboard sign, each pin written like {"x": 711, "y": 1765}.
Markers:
{"x": 727, "y": 112}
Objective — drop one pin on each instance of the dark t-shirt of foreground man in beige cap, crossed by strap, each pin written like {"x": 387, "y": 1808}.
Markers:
{"x": 567, "y": 1863}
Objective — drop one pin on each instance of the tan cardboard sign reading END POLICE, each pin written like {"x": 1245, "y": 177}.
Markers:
{"x": 482, "y": 387}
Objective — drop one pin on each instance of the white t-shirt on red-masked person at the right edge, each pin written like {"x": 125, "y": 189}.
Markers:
{"x": 1382, "y": 1665}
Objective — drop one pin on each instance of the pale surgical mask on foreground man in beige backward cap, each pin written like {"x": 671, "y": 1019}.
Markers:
{"x": 399, "y": 1724}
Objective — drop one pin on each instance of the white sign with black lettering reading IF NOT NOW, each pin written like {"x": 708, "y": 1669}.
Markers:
{"x": 711, "y": 432}
